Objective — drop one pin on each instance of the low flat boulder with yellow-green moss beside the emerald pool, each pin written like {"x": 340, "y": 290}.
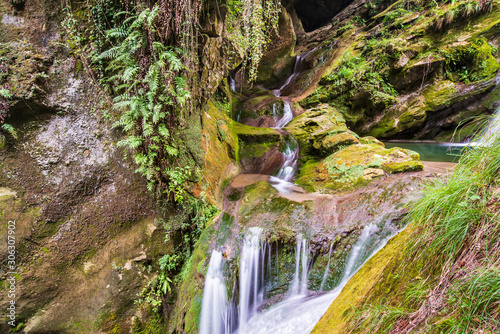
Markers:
{"x": 357, "y": 165}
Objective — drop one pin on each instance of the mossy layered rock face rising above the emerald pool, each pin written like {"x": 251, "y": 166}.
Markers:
{"x": 427, "y": 77}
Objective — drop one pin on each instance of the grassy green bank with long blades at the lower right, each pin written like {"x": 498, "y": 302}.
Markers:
{"x": 457, "y": 228}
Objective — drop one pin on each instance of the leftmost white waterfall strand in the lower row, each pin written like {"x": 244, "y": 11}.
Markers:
{"x": 214, "y": 310}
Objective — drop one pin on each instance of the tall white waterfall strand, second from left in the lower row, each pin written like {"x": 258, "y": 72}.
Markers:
{"x": 250, "y": 289}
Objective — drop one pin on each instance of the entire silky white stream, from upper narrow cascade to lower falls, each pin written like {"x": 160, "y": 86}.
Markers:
{"x": 300, "y": 309}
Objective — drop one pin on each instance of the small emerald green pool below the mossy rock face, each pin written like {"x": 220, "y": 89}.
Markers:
{"x": 432, "y": 151}
